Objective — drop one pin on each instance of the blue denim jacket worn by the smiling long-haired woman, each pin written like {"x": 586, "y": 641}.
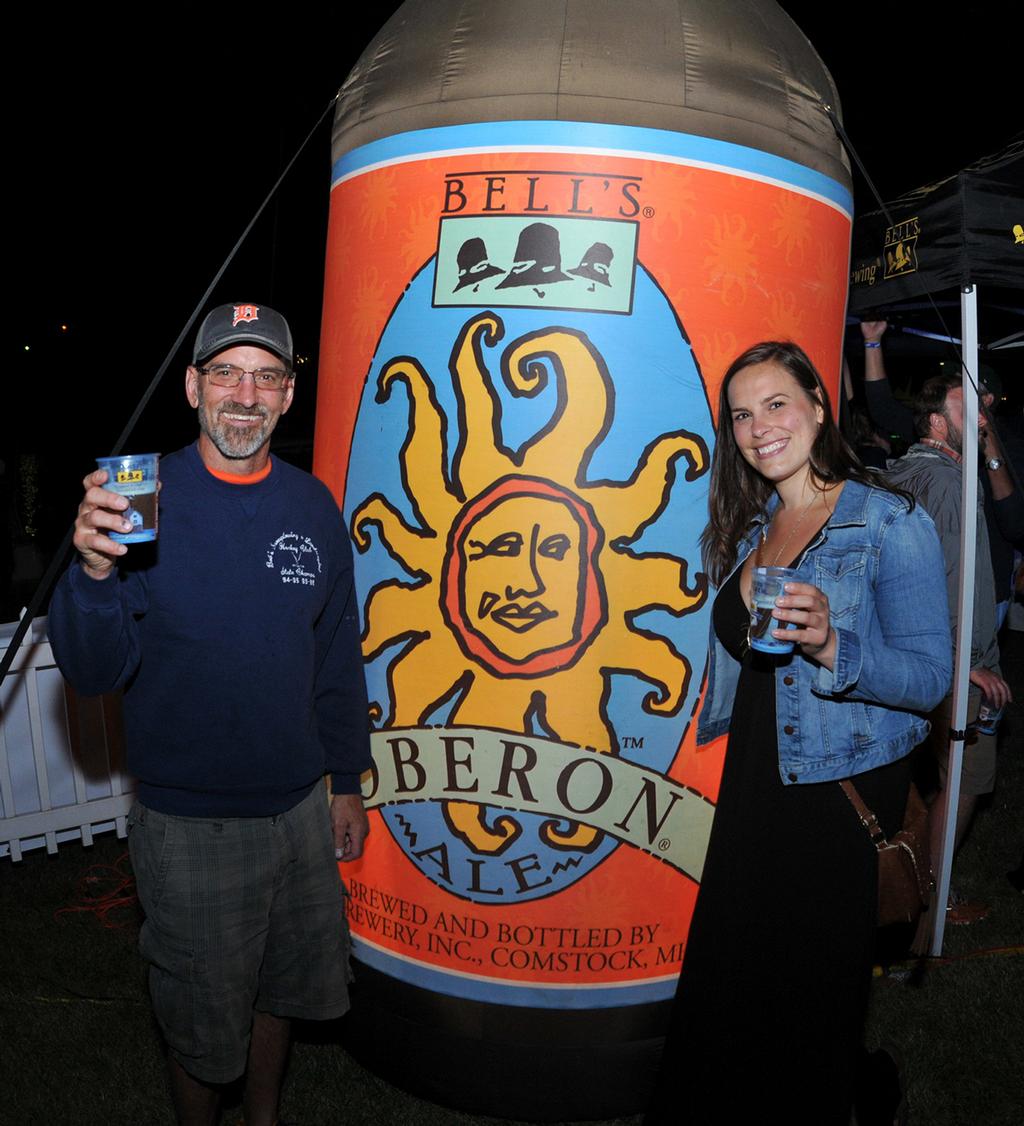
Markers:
{"x": 883, "y": 570}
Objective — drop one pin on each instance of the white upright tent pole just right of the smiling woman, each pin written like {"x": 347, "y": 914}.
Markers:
{"x": 966, "y": 610}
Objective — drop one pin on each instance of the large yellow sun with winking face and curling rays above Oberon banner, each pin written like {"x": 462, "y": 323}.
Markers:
{"x": 524, "y": 583}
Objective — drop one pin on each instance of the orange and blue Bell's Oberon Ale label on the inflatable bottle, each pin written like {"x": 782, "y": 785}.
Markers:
{"x": 526, "y": 327}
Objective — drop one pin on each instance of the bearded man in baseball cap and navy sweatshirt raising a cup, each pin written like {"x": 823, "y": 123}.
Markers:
{"x": 236, "y": 641}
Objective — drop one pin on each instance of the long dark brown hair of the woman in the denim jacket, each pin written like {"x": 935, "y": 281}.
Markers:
{"x": 738, "y": 491}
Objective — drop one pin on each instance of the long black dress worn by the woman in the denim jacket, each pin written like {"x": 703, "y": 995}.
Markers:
{"x": 769, "y": 1015}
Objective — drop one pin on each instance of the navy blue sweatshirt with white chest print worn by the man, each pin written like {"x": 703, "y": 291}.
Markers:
{"x": 235, "y": 638}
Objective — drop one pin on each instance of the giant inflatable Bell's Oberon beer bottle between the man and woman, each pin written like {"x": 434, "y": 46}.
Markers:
{"x": 553, "y": 226}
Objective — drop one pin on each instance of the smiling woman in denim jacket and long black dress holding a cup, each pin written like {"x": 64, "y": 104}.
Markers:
{"x": 771, "y": 1002}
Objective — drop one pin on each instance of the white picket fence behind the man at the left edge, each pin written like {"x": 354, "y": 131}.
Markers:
{"x": 61, "y": 755}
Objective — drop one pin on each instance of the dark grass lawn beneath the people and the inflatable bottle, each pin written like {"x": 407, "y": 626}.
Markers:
{"x": 79, "y": 1045}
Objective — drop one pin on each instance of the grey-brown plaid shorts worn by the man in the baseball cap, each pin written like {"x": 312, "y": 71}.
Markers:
{"x": 242, "y": 915}
